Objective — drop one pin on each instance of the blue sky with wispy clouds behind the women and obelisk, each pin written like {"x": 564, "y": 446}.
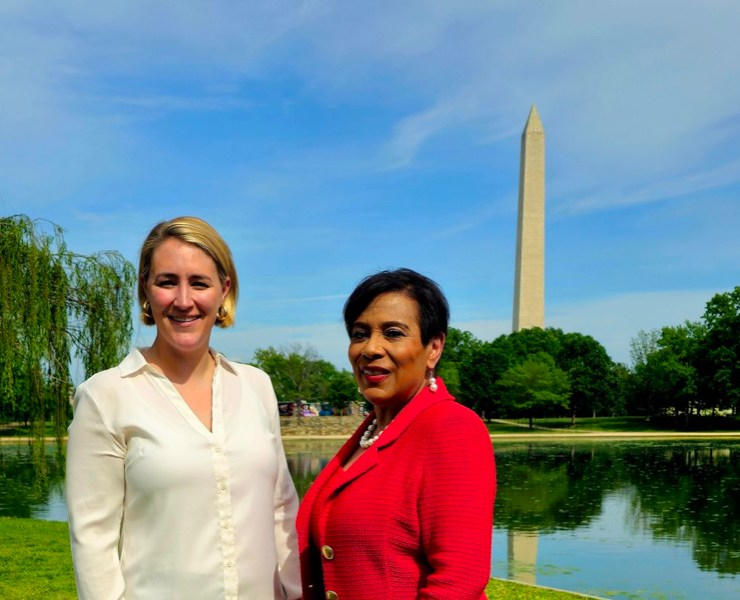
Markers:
{"x": 328, "y": 140}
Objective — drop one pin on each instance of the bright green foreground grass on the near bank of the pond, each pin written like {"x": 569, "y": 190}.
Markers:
{"x": 35, "y": 564}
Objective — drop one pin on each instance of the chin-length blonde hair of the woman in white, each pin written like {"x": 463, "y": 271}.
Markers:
{"x": 191, "y": 230}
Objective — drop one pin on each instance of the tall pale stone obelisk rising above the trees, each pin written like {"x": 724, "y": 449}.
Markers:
{"x": 529, "y": 276}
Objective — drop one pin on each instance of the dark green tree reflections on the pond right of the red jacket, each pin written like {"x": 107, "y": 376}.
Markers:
{"x": 679, "y": 492}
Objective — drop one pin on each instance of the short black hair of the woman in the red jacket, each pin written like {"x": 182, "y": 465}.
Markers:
{"x": 434, "y": 311}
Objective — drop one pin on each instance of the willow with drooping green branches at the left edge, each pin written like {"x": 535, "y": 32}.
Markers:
{"x": 55, "y": 307}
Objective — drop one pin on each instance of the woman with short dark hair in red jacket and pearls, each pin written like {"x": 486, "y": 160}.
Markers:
{"x": 405, "y": 508}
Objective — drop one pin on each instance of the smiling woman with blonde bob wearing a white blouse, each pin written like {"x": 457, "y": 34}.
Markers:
{"x": 177, "y": 483}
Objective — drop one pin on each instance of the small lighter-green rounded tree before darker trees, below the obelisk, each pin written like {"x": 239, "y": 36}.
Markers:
{"x": 537, "y": 384}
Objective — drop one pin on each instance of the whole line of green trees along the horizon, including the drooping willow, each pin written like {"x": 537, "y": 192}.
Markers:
{"x": 57, "y": 306}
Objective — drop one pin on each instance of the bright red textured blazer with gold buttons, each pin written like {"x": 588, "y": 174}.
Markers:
{"x": 412, "y": 518}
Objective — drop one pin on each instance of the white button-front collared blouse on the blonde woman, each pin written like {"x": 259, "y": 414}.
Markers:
{"x": 161, "y": 507}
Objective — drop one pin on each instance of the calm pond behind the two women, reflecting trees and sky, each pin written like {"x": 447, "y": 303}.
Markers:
{"x": 618, "y": 519}
